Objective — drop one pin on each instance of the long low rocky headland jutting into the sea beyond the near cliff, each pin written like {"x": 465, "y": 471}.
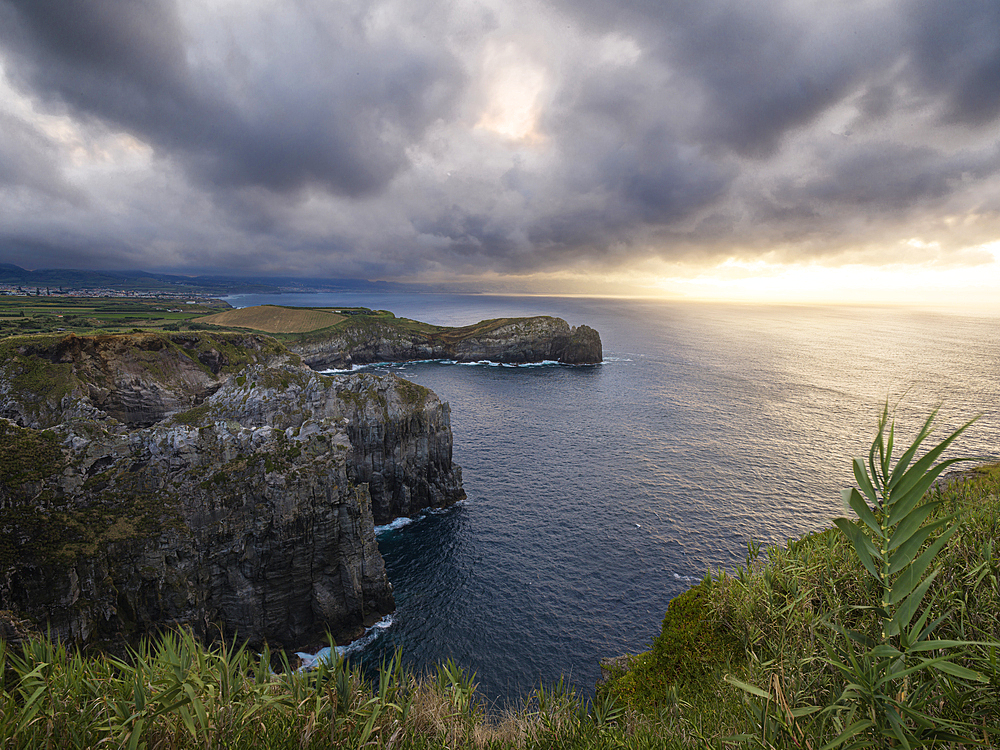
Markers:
{"x": 363, "y": 340}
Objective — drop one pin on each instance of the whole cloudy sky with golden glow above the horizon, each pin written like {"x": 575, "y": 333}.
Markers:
{"x": 767, "y": 150}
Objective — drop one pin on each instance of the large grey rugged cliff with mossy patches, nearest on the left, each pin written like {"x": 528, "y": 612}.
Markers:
{"x": 212, "y": 480}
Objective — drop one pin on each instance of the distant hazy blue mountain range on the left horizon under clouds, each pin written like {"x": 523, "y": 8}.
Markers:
{"x": 69, "y": 280}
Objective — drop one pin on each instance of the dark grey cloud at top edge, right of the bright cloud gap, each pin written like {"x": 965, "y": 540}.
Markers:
{"x": 761, "y": 68}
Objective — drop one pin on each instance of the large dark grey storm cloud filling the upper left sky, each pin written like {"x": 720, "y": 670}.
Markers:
{"x": 326, "y": 109}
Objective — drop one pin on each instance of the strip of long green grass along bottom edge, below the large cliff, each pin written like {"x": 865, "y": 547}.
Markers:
{"x": 178, "y": 693}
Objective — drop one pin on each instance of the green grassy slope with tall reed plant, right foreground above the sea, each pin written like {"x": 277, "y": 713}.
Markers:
{"x": 812, "y": 649}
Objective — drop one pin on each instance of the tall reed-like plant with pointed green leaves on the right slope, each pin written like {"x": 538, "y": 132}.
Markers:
{"x": 892, "y": 678}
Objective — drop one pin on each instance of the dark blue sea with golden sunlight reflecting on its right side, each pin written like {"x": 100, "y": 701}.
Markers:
{"x": 598, "y": 493}
